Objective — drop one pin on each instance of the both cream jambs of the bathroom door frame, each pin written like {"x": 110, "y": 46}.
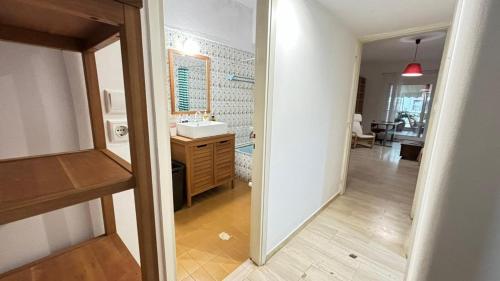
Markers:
{"x": 160, "y": 141}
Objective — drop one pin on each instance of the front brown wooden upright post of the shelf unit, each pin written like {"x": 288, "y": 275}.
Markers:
{"x": 135, "y": 96}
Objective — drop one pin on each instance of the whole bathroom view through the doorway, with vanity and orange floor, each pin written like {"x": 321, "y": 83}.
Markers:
{"x": 210, "y": 49}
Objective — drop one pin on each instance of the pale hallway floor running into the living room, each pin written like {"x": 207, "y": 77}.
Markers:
{"x": 360, "y": 235}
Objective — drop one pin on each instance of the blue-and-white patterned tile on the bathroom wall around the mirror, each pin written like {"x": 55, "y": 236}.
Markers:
{"x": 232, "y": 101}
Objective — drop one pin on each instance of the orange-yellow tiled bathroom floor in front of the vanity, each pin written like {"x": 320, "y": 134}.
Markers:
{"x": 201, "y": 254}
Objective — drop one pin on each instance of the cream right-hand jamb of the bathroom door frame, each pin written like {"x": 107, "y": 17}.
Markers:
{"x": 264, "y": 79}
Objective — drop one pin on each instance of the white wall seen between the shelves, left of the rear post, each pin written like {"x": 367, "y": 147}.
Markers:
{"x": 42, "y": 110}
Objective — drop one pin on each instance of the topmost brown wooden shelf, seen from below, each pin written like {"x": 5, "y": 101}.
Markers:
{"x": 62, "y": 24}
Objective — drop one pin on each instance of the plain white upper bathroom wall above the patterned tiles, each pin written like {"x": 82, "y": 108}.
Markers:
{"x": 225, "y": 21}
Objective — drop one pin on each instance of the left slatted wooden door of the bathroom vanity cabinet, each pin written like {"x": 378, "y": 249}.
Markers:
{"x": 202, "y": 175}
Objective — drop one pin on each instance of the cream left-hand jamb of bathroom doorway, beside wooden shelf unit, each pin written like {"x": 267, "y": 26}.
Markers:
{"x": 156, "y": 66}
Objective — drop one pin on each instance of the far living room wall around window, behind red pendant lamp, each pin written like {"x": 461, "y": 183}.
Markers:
{"x": 378, "y": 76}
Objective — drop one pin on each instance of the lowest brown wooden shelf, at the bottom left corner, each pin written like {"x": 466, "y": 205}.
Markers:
{"x": 104, "y": 258}
